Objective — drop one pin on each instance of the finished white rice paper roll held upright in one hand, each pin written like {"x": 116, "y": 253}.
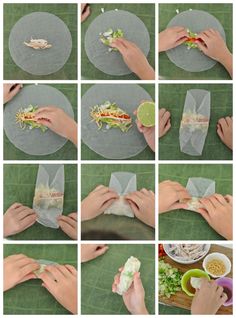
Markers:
{"x": 132, "y": 266}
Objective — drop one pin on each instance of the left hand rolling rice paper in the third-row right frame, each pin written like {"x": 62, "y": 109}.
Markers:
{"x": 170, "y": 196}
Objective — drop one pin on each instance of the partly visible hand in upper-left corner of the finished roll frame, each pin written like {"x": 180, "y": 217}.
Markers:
{"x": 91, "y": 251}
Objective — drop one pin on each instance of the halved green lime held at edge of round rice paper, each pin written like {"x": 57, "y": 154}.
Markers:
{"x": 146, "y": 113}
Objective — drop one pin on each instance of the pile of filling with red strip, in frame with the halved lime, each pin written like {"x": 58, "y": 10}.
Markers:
{"x": 112, "y": 115}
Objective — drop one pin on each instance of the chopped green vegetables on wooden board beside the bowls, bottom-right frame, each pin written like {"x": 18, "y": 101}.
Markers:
{"x": 169, "y": 279}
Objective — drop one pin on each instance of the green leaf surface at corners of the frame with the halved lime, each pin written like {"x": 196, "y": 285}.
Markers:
{"x": 146, "y": 154}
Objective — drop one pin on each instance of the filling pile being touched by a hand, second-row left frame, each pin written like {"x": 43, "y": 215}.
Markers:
{"x": 26, "y": 118}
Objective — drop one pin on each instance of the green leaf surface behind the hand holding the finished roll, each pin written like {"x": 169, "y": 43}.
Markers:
{"x": 97, "y": 277}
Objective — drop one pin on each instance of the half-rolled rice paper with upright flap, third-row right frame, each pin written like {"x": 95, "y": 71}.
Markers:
{"x": 199, "y": 188}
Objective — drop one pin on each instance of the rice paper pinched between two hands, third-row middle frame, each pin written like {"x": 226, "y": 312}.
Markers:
{"x": 123, "y": 183}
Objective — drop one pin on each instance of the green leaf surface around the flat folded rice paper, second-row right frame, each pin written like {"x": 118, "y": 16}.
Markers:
{"x": 172, "y": 97}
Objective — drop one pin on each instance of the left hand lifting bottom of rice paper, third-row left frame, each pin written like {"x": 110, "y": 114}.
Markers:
{"x": 17, "y": 219}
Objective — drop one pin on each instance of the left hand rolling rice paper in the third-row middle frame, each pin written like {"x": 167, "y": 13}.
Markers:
{"x": 97, "y": 202}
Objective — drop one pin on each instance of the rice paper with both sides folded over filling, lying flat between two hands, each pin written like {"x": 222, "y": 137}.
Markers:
{"x": 195, "y": 121}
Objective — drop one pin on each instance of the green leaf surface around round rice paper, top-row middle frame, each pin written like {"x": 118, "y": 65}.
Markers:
{"x": 146, "y": 12}
